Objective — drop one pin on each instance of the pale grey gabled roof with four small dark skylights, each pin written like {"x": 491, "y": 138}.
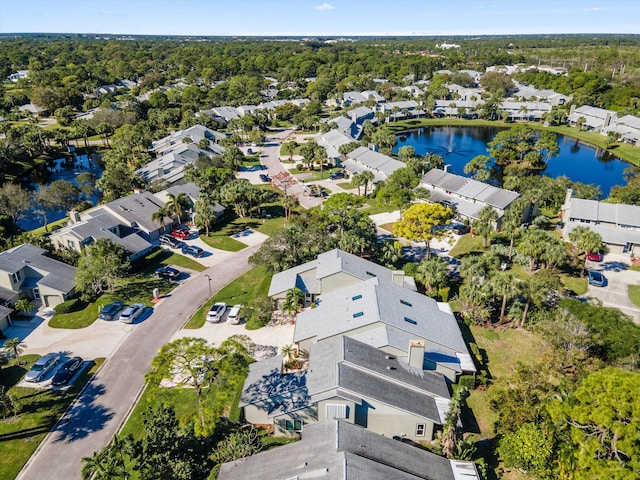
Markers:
{"x": 372, "y": 304}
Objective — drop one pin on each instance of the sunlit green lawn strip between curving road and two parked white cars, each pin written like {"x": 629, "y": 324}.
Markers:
{"x": 242, "y": 290}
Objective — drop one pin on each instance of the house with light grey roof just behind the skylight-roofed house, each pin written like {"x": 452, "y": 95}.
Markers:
{"x": 329, "y": 272}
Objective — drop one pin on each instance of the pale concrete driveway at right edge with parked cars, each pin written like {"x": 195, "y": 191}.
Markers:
{"x": 616, "y": 292}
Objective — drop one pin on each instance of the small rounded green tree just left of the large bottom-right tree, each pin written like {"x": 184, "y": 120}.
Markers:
{"x": 527, "y": 449}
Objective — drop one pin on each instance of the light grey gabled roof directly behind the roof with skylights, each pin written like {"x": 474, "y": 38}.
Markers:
{"x": 307, "y": 276}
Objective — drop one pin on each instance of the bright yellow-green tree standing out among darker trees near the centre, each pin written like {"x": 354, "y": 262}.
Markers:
{"x": 419, "y": 223}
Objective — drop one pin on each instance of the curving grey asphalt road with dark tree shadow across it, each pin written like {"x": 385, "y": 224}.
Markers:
{"x": 103, "y": 406}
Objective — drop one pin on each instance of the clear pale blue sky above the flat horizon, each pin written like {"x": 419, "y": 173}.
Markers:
{"x": 320, "y": 17}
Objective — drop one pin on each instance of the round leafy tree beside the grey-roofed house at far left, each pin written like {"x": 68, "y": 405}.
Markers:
{"x": 101, "y": 266}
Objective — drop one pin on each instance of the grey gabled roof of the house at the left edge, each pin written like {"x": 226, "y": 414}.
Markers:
{"x": 56, "y": 275}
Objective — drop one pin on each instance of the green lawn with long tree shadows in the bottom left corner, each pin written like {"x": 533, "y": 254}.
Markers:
{"x": 41, "y": 409}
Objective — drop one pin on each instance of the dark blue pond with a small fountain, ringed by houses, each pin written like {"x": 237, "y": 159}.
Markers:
{"x": 458, "y": 145}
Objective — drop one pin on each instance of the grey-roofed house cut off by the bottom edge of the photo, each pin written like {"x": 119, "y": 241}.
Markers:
{"x": 338, "y": 450}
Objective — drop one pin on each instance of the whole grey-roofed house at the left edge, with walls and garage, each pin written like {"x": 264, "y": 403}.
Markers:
{"x": 27, "y": 272}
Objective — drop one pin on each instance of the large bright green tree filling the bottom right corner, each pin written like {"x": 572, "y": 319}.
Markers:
{"x": 599, "y": 424}
